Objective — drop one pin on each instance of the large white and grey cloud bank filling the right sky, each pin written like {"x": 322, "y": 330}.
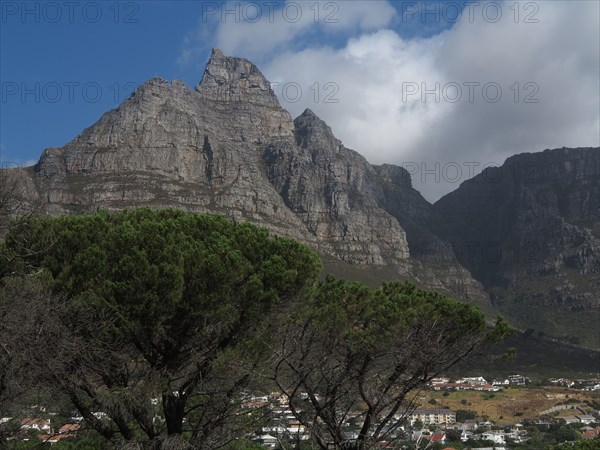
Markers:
{"x": 475, "y": 93}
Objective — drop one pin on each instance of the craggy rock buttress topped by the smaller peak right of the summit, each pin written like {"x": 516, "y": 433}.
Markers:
{"x": 332, "y": 189}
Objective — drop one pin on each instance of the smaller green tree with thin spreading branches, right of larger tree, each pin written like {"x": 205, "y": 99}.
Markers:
{"x": 354, "y": 351}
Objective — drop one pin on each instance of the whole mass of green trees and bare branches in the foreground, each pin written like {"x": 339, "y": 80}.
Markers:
{"x": 154, "y": 324}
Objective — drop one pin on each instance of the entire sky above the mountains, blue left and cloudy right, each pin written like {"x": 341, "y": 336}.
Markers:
{"x": 444, "y": 89}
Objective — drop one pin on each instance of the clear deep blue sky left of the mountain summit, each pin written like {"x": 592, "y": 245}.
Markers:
{"x": 112, "y": 56}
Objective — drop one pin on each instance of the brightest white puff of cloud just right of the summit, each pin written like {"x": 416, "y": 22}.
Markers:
{"x": 368, "y": 74}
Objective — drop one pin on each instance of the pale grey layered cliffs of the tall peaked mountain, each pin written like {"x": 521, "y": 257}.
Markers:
{"x": 228, "y": 147}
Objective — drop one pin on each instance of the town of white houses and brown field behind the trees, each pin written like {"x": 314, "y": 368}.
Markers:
{"x": 463, "y": 413}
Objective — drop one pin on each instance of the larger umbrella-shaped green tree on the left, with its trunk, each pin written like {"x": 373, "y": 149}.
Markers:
{"x": 161, "y": 304}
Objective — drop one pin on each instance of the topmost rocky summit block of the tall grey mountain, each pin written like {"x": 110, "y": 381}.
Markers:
{"x": 229, "y": 79}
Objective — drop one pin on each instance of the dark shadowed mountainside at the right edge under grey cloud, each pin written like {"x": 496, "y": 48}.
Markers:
{"x": 530, "y": 232}
